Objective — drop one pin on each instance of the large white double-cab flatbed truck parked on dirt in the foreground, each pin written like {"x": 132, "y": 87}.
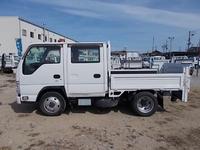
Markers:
{"x": 53, "y": 75}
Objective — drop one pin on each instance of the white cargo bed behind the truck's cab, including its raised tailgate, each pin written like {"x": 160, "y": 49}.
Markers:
{"x": 149, "y": 79}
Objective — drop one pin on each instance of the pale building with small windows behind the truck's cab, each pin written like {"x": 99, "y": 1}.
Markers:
{"x": 16, "y": 34}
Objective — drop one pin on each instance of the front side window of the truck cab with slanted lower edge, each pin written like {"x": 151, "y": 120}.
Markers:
{"x": 39, "y": 55}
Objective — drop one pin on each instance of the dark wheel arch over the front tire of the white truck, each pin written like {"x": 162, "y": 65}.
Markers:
{"x": 59, "y": 89}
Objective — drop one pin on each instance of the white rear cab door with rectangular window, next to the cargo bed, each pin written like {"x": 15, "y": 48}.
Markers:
{"x": 85, "y": 70}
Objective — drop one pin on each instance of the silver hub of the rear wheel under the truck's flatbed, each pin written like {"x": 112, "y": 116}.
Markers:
{"x": 145, "y": 104}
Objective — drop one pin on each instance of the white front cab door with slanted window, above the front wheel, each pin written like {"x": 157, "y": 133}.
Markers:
{"x": 42, "y": 66}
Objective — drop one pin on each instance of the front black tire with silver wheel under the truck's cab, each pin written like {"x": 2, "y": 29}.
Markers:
{"x": 52, "y": 104}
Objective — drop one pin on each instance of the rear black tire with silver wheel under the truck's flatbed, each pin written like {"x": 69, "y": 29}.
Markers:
{"x": 144, "y": 104}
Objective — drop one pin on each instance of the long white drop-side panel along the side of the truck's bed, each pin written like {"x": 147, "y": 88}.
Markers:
{"x": 146, "y": 81}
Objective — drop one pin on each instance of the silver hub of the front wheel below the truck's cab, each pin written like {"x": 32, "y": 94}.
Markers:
{"x": 52, "y": 104}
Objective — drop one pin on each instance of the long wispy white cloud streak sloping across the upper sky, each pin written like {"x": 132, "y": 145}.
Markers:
{"x": 124, "y": 12}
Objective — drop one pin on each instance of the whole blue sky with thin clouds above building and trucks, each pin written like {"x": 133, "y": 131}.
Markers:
{"x": 126, "y": 23}
